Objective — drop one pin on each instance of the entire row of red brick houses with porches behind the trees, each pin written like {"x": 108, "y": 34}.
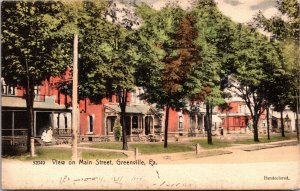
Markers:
{"x": 52, "y": 109}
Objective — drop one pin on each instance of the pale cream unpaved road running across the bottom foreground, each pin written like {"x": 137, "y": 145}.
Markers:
{"x": 274, "y": 168}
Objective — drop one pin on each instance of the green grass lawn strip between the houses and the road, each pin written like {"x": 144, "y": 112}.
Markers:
{"x": 47, "y": 153}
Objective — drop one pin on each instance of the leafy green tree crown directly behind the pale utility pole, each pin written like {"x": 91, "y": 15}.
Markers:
{"x": 87, "y": 19}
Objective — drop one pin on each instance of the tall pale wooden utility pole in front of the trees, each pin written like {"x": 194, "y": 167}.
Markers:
{"x": 74, "y": 100}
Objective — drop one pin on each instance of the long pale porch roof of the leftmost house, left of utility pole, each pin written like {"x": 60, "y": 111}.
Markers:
{"x": 18, "y": 102}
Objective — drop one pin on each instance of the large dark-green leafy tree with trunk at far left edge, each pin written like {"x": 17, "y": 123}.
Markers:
{"x": 31, "y": 53}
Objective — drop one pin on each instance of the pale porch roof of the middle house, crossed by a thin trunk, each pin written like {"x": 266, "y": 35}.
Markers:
{"x": 143, "y": 109}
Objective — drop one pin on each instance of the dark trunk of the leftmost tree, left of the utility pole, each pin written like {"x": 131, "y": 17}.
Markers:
{"x": 30, "y": 117}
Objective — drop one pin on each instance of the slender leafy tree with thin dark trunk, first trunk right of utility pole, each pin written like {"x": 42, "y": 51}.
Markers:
{"x": 122, "y": 68}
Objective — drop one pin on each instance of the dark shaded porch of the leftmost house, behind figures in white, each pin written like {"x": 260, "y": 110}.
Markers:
{"x": 45, "y": 115}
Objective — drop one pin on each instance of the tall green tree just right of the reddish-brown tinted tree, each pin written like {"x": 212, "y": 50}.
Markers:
{"x": 214, "y": 33}
